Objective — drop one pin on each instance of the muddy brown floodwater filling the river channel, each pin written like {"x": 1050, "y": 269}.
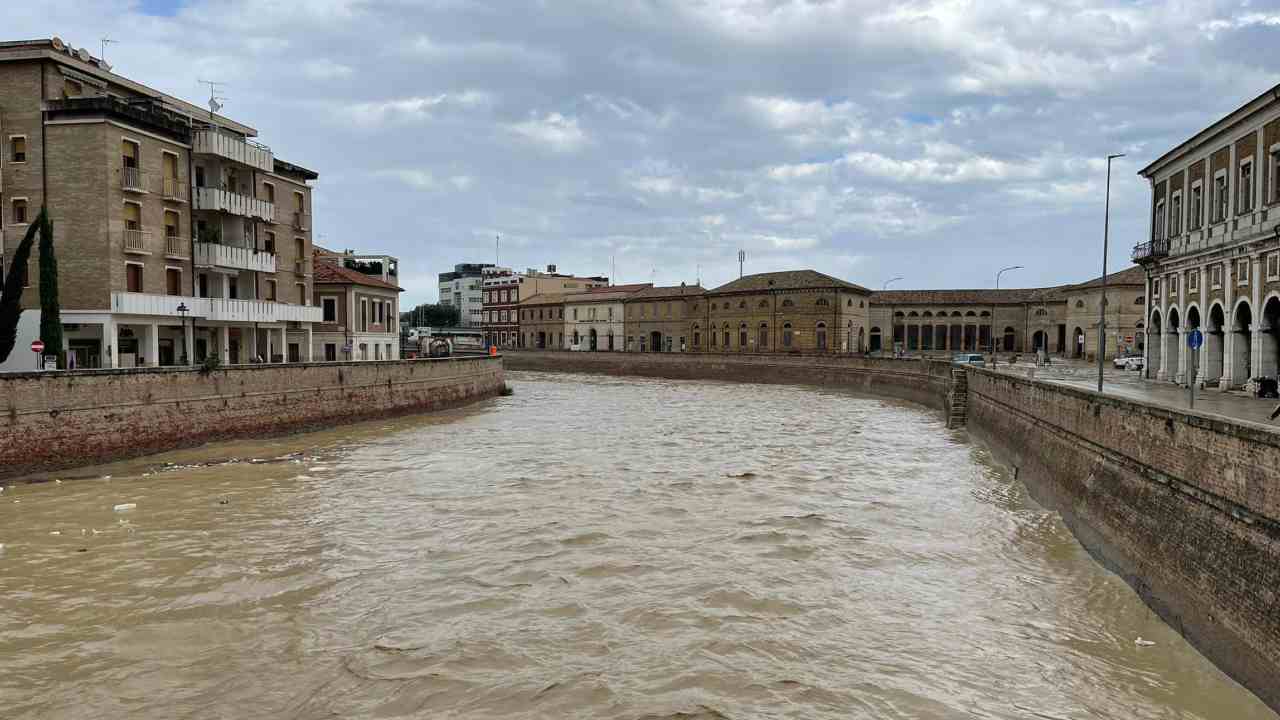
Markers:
{"x": 589, "y": 548}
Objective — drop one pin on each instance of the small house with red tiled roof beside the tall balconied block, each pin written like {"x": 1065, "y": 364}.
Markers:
{"x": 359, "y": 303}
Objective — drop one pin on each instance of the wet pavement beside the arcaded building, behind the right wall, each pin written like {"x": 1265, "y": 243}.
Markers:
{"x": 1131, "y": 385}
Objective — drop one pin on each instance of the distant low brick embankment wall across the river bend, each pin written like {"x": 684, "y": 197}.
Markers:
{"x": 918, "y": 381}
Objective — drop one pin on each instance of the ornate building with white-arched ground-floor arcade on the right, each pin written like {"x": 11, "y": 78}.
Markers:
{"x": 1213, "y": 261}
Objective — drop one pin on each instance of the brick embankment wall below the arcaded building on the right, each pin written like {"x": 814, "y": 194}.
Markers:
{"x": 1183, "y": 507}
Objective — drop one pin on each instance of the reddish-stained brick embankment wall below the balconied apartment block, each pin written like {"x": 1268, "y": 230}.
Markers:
{"x": 57, "y": 421}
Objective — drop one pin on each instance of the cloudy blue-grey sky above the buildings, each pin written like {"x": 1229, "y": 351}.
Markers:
{"x": 931, "y": 140}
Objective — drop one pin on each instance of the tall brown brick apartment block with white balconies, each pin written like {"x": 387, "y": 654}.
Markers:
{"x": 179, "y": 235}
